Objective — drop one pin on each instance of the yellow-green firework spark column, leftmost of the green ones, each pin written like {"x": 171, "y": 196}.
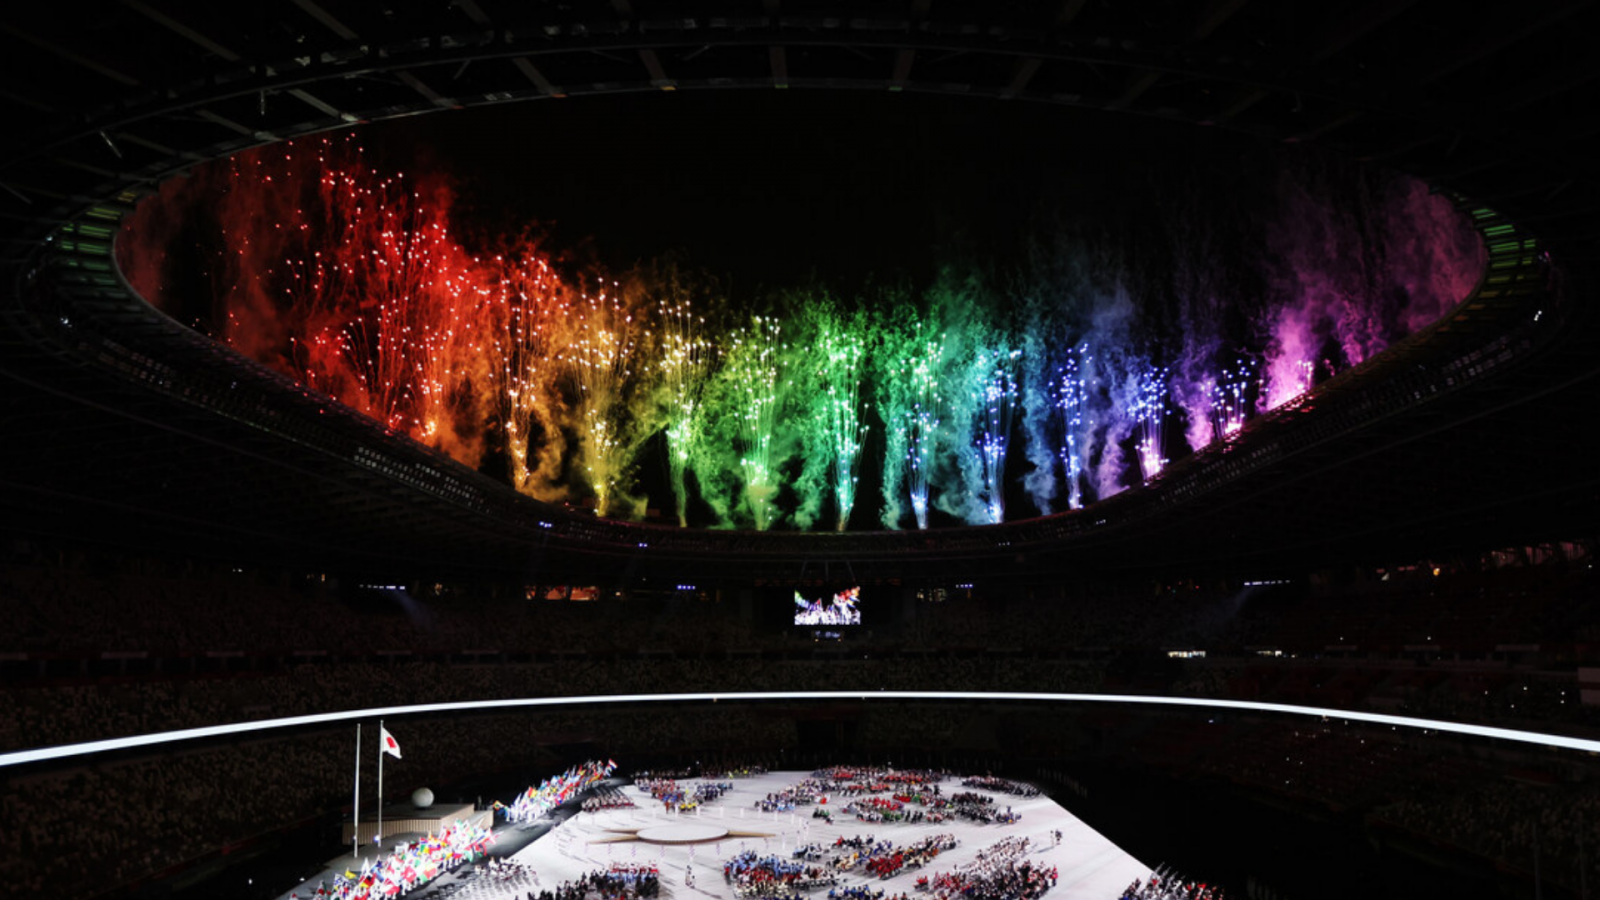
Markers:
{"x": 754, "y": 374}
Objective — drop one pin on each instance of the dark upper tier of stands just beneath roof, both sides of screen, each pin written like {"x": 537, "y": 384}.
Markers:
{"x": 63, "y": 605}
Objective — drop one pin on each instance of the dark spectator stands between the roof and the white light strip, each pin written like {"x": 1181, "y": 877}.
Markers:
{"x": 129, "y": 653}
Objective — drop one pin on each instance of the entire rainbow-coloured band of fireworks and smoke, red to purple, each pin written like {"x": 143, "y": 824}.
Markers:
{"x": 644, "y": 388}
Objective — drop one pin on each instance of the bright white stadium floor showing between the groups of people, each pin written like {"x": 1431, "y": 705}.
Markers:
{"x": 1092, "y": 867}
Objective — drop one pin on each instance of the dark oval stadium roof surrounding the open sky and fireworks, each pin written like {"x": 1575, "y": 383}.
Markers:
{"x": 124, "y": 427}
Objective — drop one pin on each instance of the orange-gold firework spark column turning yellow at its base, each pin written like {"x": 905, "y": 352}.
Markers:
{"x": 601, "y": 364}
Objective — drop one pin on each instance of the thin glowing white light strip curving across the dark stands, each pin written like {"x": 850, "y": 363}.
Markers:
{"x": 89, "y": 749}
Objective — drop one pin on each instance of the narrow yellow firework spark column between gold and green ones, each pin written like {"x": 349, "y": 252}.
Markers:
{"x": 686, "y": 364}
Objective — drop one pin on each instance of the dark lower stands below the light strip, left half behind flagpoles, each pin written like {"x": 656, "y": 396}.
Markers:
{"x": 108, "y": 824}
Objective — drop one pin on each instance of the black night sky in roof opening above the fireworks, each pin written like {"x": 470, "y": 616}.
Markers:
{"x": 775, "y": 187}
